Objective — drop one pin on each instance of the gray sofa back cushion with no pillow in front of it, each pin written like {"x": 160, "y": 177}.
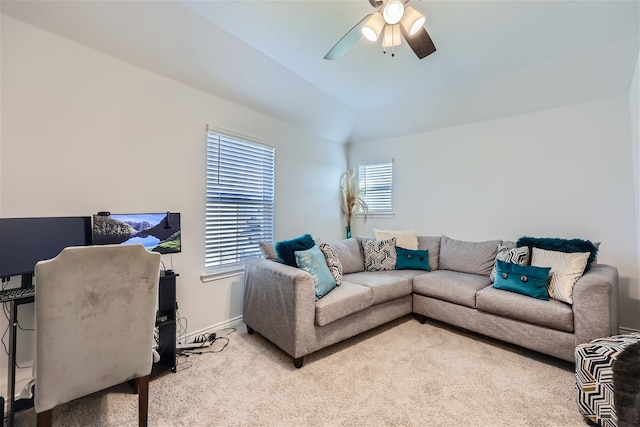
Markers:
{"x": 468, "y": 257}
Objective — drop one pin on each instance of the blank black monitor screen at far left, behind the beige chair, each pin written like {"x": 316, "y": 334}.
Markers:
{"x": 25, "y": 241}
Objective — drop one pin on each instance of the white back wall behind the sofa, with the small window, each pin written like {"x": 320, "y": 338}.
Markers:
{"x": 565, "y": 172}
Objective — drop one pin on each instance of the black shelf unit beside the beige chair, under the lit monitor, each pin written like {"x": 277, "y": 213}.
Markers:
{"x": 166, "y": 324}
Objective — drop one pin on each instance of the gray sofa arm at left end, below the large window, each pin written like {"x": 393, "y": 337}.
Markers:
{"x": 279, "y": 304}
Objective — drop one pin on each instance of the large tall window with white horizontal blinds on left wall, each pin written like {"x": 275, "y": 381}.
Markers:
{"x": 240, "y": 201}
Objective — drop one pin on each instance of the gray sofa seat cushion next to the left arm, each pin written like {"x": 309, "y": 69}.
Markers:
{"x": 342, "y": 301}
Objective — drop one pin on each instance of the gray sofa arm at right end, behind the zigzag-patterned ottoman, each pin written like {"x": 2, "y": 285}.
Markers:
{"x": 595, "y": 304}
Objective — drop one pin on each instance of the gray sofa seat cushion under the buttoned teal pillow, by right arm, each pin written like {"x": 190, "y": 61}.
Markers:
{"x": 551, "y": 314}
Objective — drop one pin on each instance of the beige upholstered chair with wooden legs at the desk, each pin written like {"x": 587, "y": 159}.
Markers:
{"x": 95, "y": 315}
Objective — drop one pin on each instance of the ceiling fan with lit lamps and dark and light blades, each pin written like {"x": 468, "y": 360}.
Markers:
{"x": 391, "y": 19}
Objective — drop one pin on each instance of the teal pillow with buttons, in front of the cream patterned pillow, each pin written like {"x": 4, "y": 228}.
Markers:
{"x": 523, "y": 279}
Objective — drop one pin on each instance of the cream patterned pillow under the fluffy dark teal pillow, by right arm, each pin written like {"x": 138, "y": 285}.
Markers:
{"x": 566, "y": 269}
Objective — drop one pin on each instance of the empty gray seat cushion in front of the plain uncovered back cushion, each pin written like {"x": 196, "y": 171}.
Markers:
{"x": 451, "y": 286}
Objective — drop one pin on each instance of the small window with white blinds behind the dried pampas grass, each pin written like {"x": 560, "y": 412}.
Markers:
{"x": 376, "y": 187}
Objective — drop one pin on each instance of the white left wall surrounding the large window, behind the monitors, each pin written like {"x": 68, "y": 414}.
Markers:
{"x": 83, "y": 132}
